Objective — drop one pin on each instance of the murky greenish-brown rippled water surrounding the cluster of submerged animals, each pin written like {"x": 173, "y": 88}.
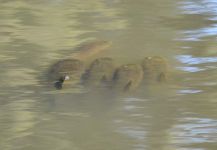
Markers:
{"x": 181, "y": 115}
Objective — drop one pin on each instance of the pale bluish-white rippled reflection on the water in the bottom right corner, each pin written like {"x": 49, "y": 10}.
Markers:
{"x": 195, "y": 130}
